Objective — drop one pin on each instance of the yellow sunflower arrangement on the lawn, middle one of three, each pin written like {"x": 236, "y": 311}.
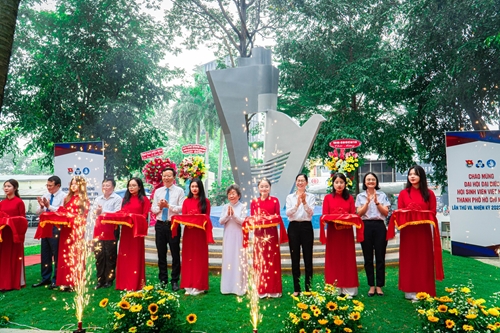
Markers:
{"x": 324, "y": 311}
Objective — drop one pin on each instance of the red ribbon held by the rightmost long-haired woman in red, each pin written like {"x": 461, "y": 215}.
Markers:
{"x": 402, "y": 218}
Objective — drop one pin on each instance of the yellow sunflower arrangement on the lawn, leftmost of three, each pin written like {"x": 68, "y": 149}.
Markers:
{"x": 151, "y": 309}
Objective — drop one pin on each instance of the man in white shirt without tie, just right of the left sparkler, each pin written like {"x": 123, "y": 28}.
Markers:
{"x": 105, "y": 247}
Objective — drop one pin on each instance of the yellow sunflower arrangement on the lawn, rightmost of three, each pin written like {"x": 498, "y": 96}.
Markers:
{"x": 458, "y": 311}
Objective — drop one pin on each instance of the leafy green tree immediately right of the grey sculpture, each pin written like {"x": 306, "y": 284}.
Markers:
{"x": 338, "y": 60}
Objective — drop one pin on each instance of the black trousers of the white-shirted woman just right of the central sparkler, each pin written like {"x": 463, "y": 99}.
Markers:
{"x": 301, "y": 234}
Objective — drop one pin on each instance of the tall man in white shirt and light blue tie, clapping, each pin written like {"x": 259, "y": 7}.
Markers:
{"x": 167, "y": 202}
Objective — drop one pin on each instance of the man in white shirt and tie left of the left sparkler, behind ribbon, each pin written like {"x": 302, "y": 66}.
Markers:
{"x": 50, "y": 202}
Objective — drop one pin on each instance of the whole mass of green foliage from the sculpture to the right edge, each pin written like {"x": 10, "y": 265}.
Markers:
{"x": 395, "y": 76}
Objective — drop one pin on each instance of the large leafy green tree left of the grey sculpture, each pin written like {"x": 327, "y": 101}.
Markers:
{"x": 90, "y": 70}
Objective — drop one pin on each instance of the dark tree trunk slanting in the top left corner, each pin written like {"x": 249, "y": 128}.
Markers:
{"x": 8, "y": 18}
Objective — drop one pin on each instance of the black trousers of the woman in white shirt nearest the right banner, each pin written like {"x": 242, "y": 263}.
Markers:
{"x": 375, "y": 241}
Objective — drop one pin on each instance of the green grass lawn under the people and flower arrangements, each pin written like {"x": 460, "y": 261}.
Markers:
{"x": 47, "y": 309}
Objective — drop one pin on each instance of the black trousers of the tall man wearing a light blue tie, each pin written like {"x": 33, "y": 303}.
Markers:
{"x": 163, "y": 237}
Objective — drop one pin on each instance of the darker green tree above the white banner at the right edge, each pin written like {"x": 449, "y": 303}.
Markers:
{"x": 452, "y": 75}
